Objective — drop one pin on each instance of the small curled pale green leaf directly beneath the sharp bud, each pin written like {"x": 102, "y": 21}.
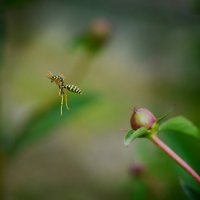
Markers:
{"x": 131, "y": 135}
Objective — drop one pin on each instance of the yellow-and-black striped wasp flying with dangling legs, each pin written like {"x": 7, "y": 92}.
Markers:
{"x": 59, "y": 80}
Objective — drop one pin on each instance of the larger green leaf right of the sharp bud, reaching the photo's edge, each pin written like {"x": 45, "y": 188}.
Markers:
{"x": 180, "y": 124}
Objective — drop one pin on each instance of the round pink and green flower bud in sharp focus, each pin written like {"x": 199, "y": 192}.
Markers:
{"x": 142, "y": 117}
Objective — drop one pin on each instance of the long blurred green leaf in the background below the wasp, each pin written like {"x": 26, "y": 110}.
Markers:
{"x": 43, "y": 122}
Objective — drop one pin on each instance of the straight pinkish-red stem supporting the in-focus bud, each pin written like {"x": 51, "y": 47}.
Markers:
{"x": 175, "y": 157}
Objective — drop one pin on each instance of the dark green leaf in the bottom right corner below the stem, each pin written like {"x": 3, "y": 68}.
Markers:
{"x": 191, "y": 193}
